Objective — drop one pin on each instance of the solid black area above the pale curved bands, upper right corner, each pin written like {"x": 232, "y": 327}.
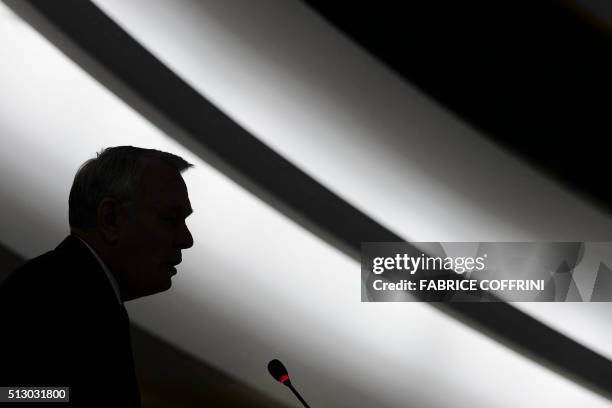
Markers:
{"x": 534, "y": 76}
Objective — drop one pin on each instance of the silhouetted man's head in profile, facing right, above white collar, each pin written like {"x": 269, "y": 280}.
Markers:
{"x": 130, "y": 205}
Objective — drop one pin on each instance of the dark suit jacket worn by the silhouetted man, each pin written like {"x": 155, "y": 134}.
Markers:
{"x": 62, "y": 325}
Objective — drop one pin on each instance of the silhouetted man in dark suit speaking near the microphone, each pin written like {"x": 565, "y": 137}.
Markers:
{"x": 62, "y": 314}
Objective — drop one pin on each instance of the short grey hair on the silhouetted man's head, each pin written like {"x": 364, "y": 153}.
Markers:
{"x": 116, "y": 173}
